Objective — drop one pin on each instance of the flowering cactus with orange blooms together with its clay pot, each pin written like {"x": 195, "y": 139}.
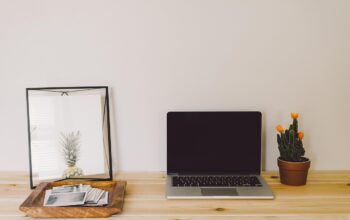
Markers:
{"x": 293, "y": 166}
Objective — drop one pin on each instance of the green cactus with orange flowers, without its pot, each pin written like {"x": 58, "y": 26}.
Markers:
{"x": 290, "y": 142}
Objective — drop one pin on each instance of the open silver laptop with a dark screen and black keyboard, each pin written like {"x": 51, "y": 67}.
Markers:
{"x": 215, "y": 155}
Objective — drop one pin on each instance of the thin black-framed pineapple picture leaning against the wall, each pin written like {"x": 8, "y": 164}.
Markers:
{"x": 69, "y": 133}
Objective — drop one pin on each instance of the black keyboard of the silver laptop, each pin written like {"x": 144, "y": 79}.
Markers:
{"x": 228, "y": 181}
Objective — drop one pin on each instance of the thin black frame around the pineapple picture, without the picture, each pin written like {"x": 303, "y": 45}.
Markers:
{"x": 106, "y": 114}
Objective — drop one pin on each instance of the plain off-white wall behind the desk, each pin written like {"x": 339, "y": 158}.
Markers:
{"x": 160, "y": 55}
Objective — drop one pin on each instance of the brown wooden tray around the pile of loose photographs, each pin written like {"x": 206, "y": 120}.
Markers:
{"x": 33, "y": 205}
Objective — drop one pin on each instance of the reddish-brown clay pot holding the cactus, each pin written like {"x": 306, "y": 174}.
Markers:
{"x": 293, "y": 173}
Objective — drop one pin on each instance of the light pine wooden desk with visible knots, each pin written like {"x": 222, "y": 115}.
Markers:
{"x": 326, "y": 196}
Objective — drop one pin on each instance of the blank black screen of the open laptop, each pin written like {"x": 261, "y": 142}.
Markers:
{"x": 214, "y": 142}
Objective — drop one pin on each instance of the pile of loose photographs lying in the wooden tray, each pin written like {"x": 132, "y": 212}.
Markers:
{"x": 75, "y": 195}
